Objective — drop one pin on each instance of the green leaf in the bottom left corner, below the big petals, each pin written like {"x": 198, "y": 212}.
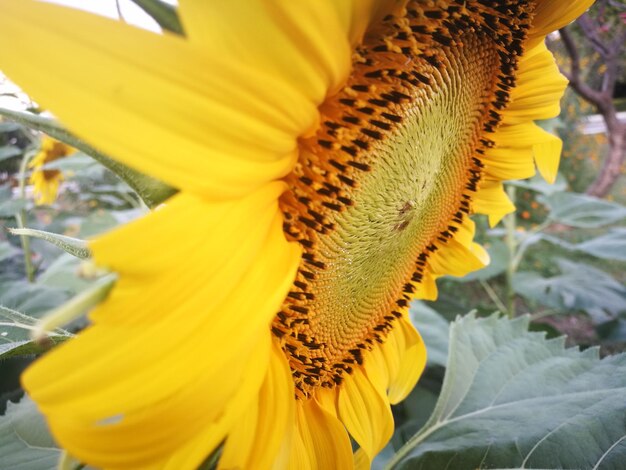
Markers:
{"x": 25, "y": 442}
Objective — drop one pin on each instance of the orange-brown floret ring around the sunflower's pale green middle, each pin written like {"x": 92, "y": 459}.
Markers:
{"x": 409, "y": 57}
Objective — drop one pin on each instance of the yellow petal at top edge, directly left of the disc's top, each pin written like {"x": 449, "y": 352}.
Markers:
{"x": 307, "y": 43}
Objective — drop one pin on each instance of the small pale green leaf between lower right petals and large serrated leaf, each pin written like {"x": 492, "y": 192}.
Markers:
{"x": 434, "y": 330}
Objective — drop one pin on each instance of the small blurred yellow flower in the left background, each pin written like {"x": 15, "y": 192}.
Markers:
{"x": 46, "y": 182}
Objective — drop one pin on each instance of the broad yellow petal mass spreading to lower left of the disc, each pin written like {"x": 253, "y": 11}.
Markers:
{"x": 187, "y": 317}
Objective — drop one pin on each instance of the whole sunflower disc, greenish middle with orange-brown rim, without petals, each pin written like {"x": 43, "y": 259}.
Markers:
{"x": 388, "y": 177}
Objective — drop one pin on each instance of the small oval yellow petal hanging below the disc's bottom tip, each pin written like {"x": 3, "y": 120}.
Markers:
{"x": 365, "y": 412}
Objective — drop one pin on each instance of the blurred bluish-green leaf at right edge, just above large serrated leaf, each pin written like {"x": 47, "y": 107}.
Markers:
{"x": 579, "y": 287}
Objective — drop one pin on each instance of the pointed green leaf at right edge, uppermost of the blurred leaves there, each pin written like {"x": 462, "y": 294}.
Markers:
{"x": 580, "y": 210}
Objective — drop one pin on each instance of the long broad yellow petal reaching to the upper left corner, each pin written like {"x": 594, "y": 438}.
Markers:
{"x": 155, "y": 101}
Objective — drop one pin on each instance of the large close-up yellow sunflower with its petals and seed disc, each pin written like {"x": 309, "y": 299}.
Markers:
{"x": 328, "y": 155}
